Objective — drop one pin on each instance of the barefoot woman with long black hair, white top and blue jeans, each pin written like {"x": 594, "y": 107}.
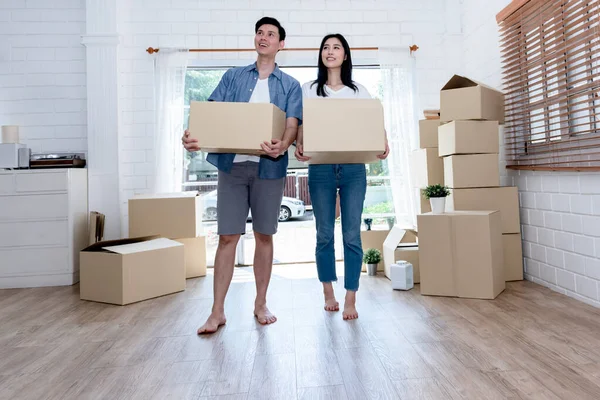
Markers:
{"x": 325, "y": 180}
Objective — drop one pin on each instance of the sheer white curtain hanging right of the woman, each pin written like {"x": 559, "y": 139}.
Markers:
{"x": 400, "y": 101}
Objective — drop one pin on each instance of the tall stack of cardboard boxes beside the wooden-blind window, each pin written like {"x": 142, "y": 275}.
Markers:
{"x": 460, "y": 250}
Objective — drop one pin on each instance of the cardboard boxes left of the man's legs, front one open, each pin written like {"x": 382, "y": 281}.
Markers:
{"x": 165, "y": 248}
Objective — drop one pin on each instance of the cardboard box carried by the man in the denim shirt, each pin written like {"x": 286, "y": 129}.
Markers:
{"x": 223, "y": 127}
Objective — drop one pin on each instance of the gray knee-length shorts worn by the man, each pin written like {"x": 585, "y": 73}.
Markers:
{"x": 242, "y": 191}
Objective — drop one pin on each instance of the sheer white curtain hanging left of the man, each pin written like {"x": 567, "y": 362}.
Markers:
{"x": 169, "y": 83}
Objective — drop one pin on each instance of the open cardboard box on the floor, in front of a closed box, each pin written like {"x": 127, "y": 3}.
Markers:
{"x": 131, "y": 270}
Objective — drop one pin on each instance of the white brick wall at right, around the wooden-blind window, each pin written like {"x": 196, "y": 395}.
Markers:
{"x": 560, "y": 211}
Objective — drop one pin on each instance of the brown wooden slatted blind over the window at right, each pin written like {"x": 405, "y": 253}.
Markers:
{"x": 551, "y": 71}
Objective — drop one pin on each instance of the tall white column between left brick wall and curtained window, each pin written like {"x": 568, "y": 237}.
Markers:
{"x": 101, "y": 41}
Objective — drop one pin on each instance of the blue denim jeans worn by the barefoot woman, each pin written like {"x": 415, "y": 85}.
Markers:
{"x": 324, "y": 181}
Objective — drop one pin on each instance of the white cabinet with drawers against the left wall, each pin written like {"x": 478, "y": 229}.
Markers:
{"x": 43, "y": 226}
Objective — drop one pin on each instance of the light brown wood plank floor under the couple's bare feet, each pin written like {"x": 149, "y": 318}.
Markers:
{"x": 529, "y": 343}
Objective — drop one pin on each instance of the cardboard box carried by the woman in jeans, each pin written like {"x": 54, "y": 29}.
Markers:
{"x": 338, "y": 131}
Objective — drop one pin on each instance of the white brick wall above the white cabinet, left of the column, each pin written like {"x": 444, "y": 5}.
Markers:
{"x": 42, "y": 73}
